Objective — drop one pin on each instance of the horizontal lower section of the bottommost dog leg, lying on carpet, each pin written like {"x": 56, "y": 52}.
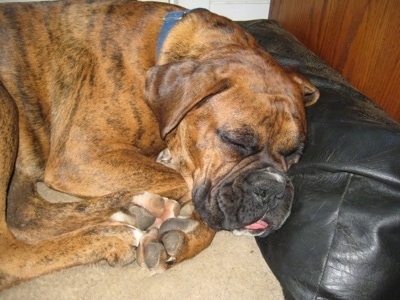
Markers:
{"x": 110, "y": 241}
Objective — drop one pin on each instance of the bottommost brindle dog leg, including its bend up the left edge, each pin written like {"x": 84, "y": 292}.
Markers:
{"x": 20, "y": 260}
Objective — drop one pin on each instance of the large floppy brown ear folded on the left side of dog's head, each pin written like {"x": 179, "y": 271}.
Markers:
{"x": 172, "y": 90}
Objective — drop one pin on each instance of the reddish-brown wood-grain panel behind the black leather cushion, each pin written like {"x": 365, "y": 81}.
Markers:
{"x": 358, "y": 38}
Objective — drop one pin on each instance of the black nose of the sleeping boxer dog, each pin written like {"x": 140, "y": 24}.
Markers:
{"x": 267, "y": 184}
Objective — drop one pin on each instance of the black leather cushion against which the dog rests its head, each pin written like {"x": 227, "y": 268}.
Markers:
{"x": 342, "y": 240}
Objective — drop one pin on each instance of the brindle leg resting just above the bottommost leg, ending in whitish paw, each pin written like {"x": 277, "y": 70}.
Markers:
{"x": 32, "y": 218}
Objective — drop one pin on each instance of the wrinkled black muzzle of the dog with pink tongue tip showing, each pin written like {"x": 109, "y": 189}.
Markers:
{"x": 256, "y": 202}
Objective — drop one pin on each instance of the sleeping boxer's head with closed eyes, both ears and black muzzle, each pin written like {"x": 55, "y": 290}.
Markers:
{"x": 234, "y": 125}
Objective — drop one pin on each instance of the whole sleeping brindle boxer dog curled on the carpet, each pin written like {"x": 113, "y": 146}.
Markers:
{"x": 84, "y": 97}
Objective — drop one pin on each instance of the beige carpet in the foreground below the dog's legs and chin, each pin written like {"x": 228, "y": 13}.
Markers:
{"x": 231, "y": 268}
